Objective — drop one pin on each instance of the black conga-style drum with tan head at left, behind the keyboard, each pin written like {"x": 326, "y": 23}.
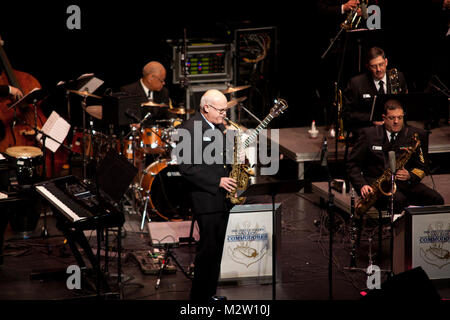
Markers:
{"x": 26, "y": 161}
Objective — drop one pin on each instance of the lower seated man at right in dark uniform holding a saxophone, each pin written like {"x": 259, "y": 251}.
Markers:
{"x": 369, "y": 159}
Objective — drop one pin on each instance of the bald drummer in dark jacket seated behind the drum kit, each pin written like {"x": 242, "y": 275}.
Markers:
{"x": 151, "y": 88}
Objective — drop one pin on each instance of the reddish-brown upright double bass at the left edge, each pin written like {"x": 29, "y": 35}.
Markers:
{"x": 17, "y": 122}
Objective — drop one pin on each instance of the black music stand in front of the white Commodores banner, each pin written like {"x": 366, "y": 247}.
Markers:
{"x": 272, "y": 189}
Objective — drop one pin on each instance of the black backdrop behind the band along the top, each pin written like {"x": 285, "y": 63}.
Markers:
{"x": 118, "y": 38}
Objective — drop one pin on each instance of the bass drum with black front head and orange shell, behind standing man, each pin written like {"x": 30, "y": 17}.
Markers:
{"x": 164, "y": 187}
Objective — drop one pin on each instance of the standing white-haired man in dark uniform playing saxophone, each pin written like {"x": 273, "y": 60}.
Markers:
{"x": 209, "y": 183}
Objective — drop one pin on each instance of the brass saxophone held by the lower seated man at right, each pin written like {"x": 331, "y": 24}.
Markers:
{"x": 366, "y": 203}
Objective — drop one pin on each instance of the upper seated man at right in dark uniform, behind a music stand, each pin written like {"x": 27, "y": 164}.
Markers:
{"x": 362, "y": 89}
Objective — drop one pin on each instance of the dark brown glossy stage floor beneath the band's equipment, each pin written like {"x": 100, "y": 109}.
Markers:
{"x": 303, "y": 263}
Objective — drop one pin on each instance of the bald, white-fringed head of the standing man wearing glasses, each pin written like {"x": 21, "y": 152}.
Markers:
{"x": 213, "y": 106}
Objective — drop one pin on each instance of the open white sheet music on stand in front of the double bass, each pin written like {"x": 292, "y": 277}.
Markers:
{"x": 55, "y": 127}
